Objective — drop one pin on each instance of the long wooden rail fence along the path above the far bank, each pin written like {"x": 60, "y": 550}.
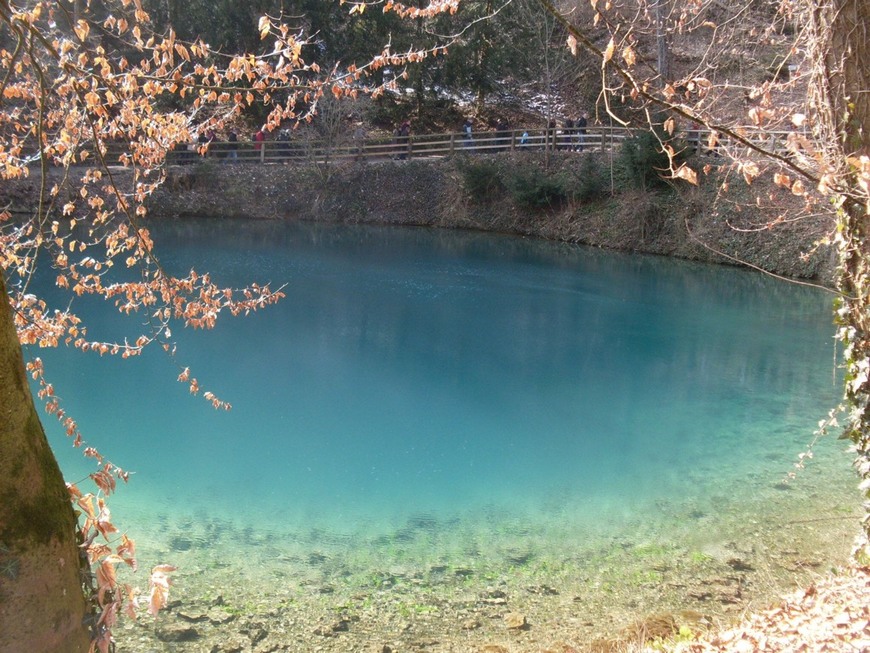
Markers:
{"x": 419, "y": 146}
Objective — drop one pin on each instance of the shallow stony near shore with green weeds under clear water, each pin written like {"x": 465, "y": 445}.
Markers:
{"x": 444, "y": 585}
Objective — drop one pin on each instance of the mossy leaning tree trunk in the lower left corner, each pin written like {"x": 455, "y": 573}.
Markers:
{"x": 42, "y": 605}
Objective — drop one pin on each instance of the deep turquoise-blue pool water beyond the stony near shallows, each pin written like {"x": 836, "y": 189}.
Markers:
{"x": 414, "y": 380}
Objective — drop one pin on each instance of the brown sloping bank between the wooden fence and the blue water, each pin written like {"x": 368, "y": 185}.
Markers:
{"x": 759, "y": 226}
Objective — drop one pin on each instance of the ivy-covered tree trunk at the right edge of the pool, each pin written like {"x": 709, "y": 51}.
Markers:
{"x": 841, "y": 76}
